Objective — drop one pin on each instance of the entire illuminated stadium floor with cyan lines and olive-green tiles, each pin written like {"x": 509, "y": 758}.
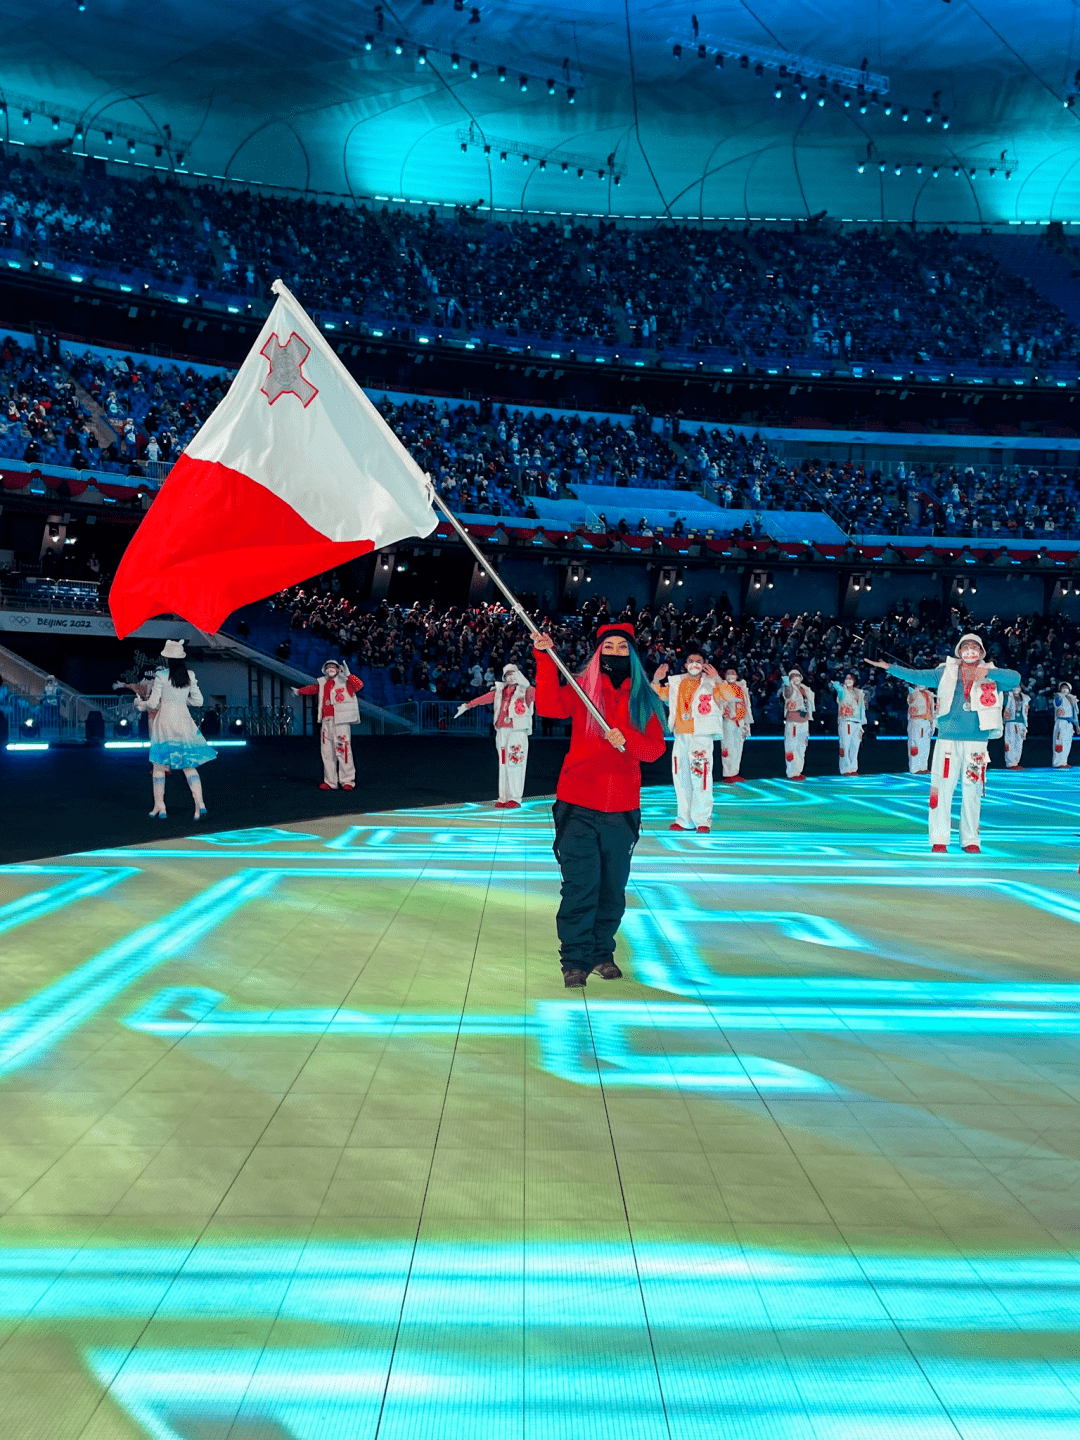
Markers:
{"x": 303, "y": 1140}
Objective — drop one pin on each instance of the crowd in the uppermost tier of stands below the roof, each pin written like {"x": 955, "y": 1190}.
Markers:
{"x": 801, "y": 293}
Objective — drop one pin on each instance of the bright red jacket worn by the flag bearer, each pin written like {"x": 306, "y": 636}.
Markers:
{"x": 594, "y": 773}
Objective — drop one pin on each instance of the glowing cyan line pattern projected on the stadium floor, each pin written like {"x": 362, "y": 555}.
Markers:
{"x": 633, "y": 1336}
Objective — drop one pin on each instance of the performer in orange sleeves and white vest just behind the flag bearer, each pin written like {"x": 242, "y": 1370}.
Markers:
{"x": 696, "y": 719}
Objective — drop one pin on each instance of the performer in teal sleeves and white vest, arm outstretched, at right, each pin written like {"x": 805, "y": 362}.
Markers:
{"x": 970, "y": 705}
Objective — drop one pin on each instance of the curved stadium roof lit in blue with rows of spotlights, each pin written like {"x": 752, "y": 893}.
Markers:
{"x": 316, "y": 96}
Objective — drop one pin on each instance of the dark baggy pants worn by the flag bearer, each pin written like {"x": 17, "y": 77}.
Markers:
{"x": 594, "y": 852}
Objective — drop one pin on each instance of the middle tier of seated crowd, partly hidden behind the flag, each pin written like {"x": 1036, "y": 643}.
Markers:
{"x": 125, "y": 414}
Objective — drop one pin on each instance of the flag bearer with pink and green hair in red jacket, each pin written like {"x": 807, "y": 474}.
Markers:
{"x": 598, "y": 798}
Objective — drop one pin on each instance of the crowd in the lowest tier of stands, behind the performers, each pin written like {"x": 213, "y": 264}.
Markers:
{"x": 454, "y": 654}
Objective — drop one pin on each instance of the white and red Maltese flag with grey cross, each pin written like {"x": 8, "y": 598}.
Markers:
{"x": 294, "y": 473}
